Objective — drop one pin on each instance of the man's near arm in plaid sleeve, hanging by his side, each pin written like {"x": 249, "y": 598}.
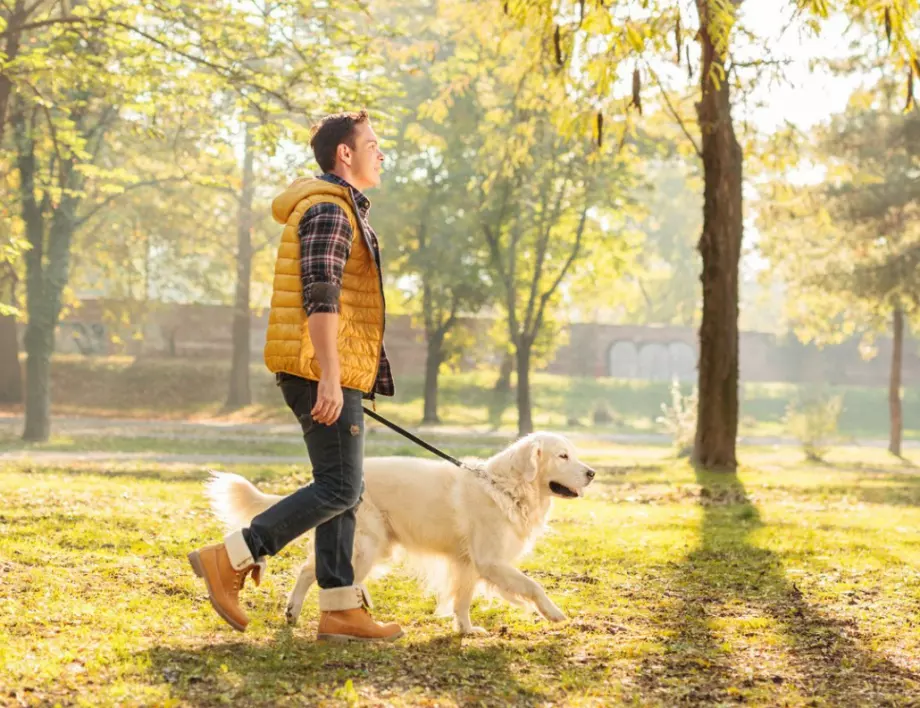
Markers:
{"x": 325, "y": 242}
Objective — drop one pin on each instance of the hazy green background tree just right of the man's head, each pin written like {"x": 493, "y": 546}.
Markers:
{"x": 427, "y": 206}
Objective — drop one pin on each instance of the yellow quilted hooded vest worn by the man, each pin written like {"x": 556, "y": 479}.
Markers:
{"x": 361, "y": 306}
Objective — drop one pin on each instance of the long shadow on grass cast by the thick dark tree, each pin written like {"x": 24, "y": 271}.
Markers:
{"x": 728, "y": 577}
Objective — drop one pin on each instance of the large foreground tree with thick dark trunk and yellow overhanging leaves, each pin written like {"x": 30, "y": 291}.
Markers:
{"x": 599, "y": 39}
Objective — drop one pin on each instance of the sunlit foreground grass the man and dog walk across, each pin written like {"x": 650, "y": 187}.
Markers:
{"x": 786, "y": 584}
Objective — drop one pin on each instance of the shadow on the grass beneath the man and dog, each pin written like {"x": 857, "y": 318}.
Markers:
{"x": 294, "y": 670}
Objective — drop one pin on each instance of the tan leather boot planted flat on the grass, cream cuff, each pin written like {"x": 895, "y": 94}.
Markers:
{"x": 344, "y": 617}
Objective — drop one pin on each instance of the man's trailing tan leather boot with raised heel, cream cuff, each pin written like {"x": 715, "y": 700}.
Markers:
{"x": 224, "y": 567}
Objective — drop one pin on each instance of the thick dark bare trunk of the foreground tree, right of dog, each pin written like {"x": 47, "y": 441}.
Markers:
{"x": 720, "y": 247}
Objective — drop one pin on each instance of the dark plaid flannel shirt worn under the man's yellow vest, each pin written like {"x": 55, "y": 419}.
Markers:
{"x": 325, "y": 242}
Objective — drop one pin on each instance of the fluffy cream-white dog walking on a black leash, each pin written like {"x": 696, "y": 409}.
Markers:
{"x": 478, "y": 519}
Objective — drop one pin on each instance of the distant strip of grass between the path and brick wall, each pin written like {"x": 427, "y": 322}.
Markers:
{"x": 179, "y": 389}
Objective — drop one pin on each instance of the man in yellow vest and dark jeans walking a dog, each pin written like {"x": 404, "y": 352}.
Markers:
{"x": 325, "y": 346}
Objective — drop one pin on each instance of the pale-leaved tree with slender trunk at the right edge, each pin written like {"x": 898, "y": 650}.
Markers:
{"x": 849, "y": 247}
